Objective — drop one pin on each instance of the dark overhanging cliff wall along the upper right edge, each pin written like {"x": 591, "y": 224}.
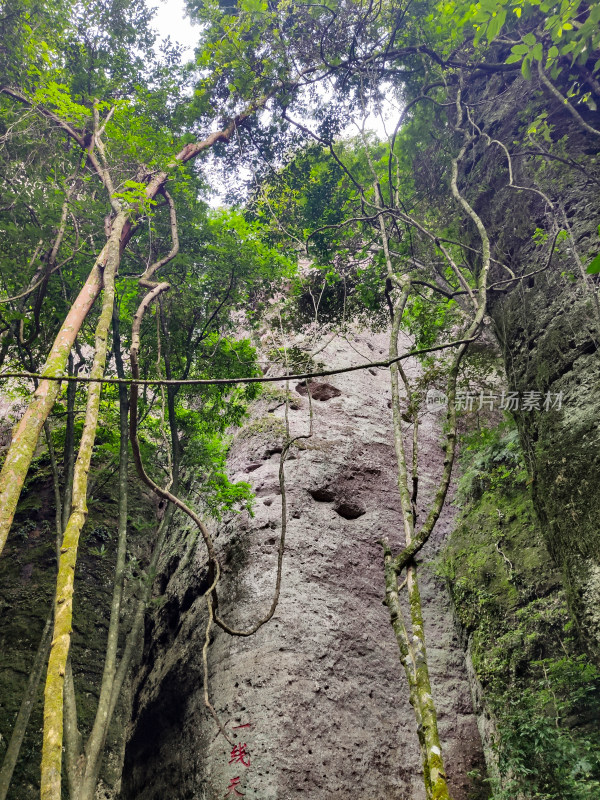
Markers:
{"x": 548, "y": 325}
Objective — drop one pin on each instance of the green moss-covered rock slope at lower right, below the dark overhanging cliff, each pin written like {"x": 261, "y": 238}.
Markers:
{"x": 537, "y": 684}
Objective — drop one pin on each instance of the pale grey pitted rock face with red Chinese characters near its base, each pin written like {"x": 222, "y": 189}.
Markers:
{"x": 315, "y": 703}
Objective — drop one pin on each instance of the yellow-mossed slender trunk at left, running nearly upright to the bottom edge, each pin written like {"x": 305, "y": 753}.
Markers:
{"x": 54, "y": 693}
